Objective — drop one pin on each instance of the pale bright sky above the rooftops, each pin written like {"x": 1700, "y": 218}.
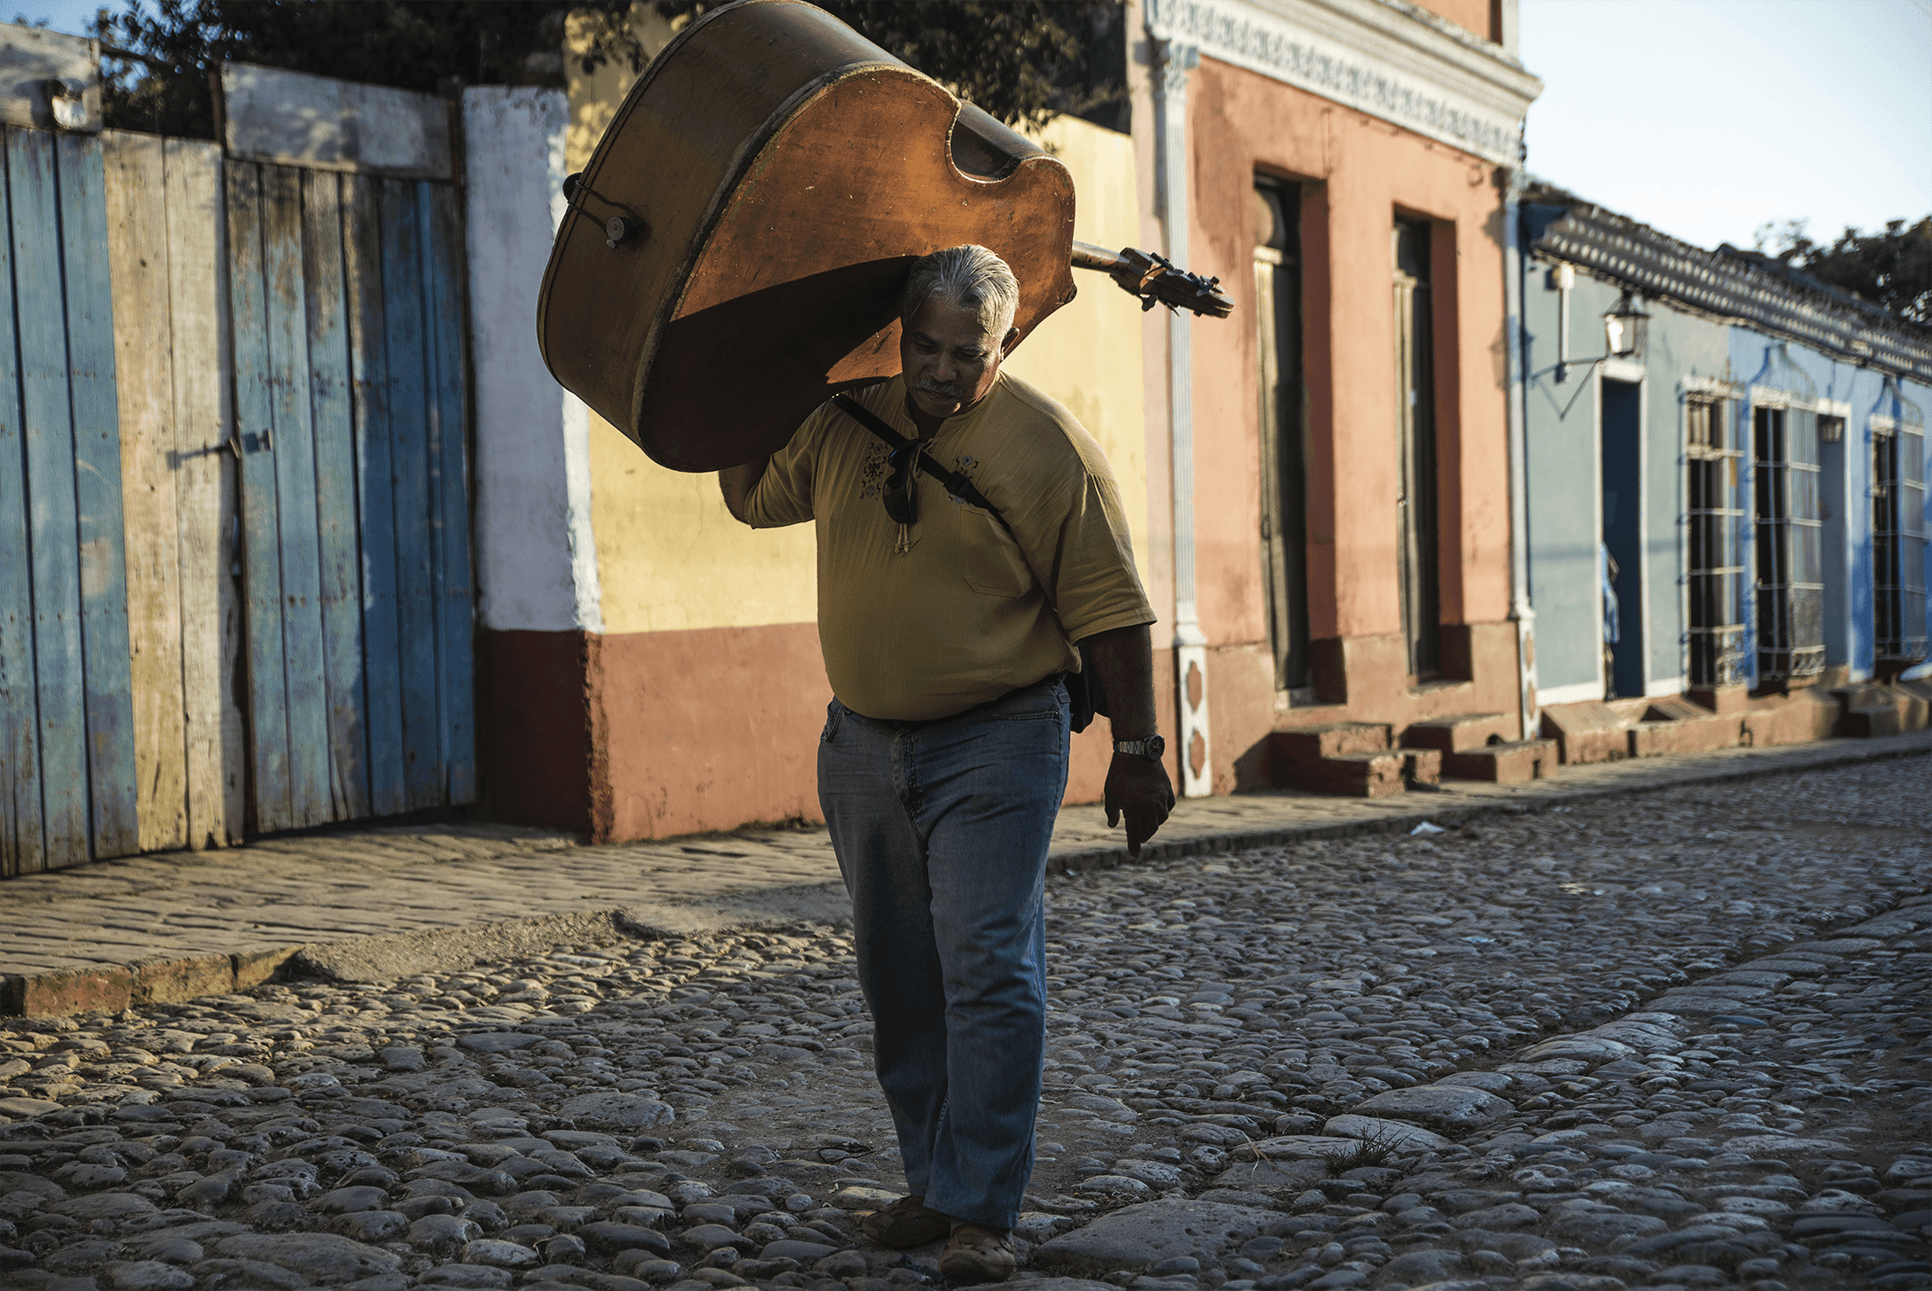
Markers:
{"x": 1705, "y": 119}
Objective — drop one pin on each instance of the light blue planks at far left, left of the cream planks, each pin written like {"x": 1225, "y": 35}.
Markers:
{"x": 67, "y": 701}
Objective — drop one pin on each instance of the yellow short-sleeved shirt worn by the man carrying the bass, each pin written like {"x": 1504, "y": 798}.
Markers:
{"x": 965, "y": 614}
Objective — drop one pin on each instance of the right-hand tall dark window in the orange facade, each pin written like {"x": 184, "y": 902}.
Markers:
{"x": 1415, "y": 393}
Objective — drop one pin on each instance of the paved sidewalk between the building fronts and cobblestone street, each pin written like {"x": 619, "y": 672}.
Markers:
{"x": 372, "y": 904}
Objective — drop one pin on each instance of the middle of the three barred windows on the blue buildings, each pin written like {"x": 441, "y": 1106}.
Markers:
{"x": 1790, "y": 544}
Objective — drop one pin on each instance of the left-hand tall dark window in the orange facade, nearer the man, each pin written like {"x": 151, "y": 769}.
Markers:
{"x": 1278, "y": 310}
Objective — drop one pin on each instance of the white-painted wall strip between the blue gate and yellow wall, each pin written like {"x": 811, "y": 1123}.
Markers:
{"x": 536, "y": 554}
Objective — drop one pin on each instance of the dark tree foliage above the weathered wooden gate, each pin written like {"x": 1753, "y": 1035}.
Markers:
{"x": 424, "y": 45}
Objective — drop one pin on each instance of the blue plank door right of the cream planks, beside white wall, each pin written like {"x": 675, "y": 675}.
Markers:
{"x": 351, "y": 426}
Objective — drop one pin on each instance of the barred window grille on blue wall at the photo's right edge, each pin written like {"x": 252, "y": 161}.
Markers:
{"x": 1900, "y": 534}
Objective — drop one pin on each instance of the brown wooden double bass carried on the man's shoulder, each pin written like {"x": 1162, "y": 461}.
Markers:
{"x": 737, "y": 246}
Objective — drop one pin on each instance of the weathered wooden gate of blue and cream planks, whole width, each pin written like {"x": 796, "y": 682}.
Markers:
{"x": 235, "y": 505}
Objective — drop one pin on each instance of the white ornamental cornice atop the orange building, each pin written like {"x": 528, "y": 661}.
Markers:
{"x": 1371, "y": 57}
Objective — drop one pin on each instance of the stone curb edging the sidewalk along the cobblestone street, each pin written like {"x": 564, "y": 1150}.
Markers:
{"x": 393, "y": 956}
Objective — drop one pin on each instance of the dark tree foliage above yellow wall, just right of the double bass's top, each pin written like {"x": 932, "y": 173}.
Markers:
{"x": 1021, "y": 61}
